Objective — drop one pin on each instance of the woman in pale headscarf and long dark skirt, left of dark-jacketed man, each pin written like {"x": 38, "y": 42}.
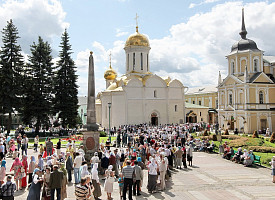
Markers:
{"x": 34, "y": 193}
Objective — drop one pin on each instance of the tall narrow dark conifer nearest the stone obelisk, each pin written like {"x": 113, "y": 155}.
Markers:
{"x": 66, "y": 101}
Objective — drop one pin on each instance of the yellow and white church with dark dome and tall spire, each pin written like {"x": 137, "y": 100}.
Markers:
{"x": 247, "y": 95}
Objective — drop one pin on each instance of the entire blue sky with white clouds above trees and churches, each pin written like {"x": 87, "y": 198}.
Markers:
{"x": 189, "y": 39}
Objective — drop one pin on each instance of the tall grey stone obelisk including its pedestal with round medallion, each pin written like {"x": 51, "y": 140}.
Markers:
{"x": 91, "y": 136}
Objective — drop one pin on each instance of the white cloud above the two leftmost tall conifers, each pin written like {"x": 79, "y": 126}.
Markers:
{"x": 34, "y": 18}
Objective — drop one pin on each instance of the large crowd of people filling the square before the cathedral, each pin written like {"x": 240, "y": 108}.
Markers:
{"x": 156, "y": 149}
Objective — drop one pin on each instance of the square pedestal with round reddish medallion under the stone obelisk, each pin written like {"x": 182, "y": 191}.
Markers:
{"x": 91, "y": 143}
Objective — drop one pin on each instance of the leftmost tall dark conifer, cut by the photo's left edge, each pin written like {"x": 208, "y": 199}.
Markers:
{"x": 11, "y": 72}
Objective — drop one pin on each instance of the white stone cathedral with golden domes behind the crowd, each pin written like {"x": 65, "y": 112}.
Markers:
{"x": 139, "y": 96}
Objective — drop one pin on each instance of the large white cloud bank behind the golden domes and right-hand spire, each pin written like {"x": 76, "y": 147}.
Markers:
{"x": 195, "y": 51}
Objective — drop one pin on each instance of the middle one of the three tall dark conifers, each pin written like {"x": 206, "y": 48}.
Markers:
{"x": 39, "y": 95}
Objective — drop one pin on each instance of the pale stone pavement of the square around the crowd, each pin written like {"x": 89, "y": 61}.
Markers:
{"x": 210, "y": 178}
